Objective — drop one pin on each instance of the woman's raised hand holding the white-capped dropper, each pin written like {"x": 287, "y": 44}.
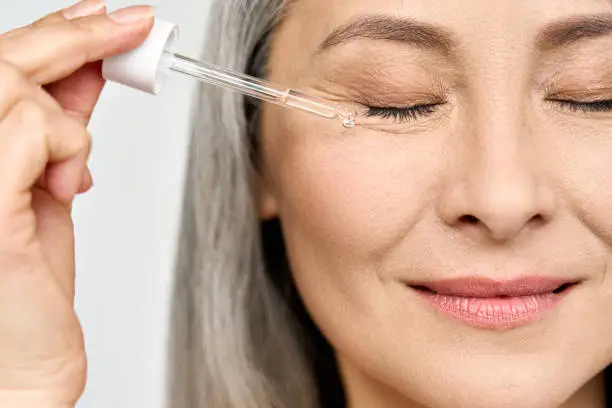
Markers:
{"x": 50, "y": 82}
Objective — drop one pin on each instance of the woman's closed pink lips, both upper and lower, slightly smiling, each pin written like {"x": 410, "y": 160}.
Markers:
{"x": 494, "y": 304}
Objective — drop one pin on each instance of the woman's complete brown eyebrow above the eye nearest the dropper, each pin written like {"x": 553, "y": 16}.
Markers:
{"x": 405, "y": 30}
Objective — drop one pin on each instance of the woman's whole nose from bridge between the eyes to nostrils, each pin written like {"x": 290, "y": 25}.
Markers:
{"x": 496, "y": 185}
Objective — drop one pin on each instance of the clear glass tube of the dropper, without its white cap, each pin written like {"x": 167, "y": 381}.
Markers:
{"x": 257, "y": 88}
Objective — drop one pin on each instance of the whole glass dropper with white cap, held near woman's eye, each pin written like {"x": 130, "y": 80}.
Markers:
{"x": 146, "y": 67}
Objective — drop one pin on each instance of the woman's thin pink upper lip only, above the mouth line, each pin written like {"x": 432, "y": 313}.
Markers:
{"x": 484, "y": 287}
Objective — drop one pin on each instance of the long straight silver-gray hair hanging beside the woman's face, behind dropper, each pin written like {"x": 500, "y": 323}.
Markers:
{"x": 233, "y": 340}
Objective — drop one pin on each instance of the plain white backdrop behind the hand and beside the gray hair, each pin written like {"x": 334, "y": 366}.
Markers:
{"x": 127, "y": 225}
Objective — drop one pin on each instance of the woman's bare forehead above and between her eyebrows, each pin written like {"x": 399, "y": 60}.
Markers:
{"x": 309, "y": 22}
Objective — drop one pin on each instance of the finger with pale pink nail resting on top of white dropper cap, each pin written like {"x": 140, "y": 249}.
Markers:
{"x": 53, "y": 51}
